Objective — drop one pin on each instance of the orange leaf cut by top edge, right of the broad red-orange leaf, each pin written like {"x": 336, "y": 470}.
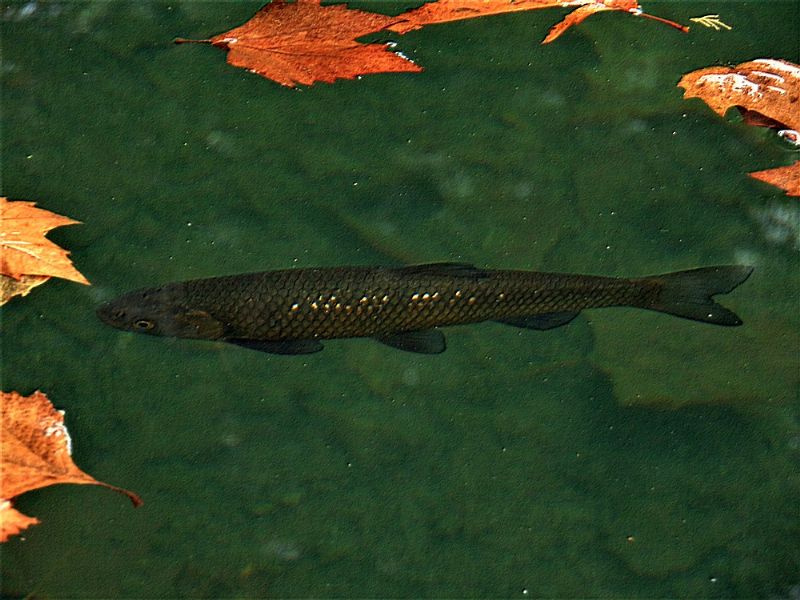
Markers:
{"x": 443, "y": 11}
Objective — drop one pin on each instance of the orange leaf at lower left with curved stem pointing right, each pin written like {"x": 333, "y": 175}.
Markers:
{"x": 35, "y": 450}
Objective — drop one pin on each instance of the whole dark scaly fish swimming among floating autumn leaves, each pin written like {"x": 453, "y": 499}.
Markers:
{"x": 292, "y": 311}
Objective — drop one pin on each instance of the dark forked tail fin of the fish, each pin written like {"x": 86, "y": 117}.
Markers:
{"x": 688, "y": 294}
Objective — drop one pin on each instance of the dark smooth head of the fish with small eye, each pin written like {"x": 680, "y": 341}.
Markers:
{"x": 162, "y": 312}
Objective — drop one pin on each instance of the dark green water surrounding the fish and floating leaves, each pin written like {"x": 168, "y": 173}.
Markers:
{"x": 629, "y": 454}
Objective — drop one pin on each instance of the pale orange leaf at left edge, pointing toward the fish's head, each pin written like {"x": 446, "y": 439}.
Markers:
{"x": 24, "y": 249}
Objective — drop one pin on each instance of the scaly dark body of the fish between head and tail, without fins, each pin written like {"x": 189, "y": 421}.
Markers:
{"x": 367, "y": 302}
